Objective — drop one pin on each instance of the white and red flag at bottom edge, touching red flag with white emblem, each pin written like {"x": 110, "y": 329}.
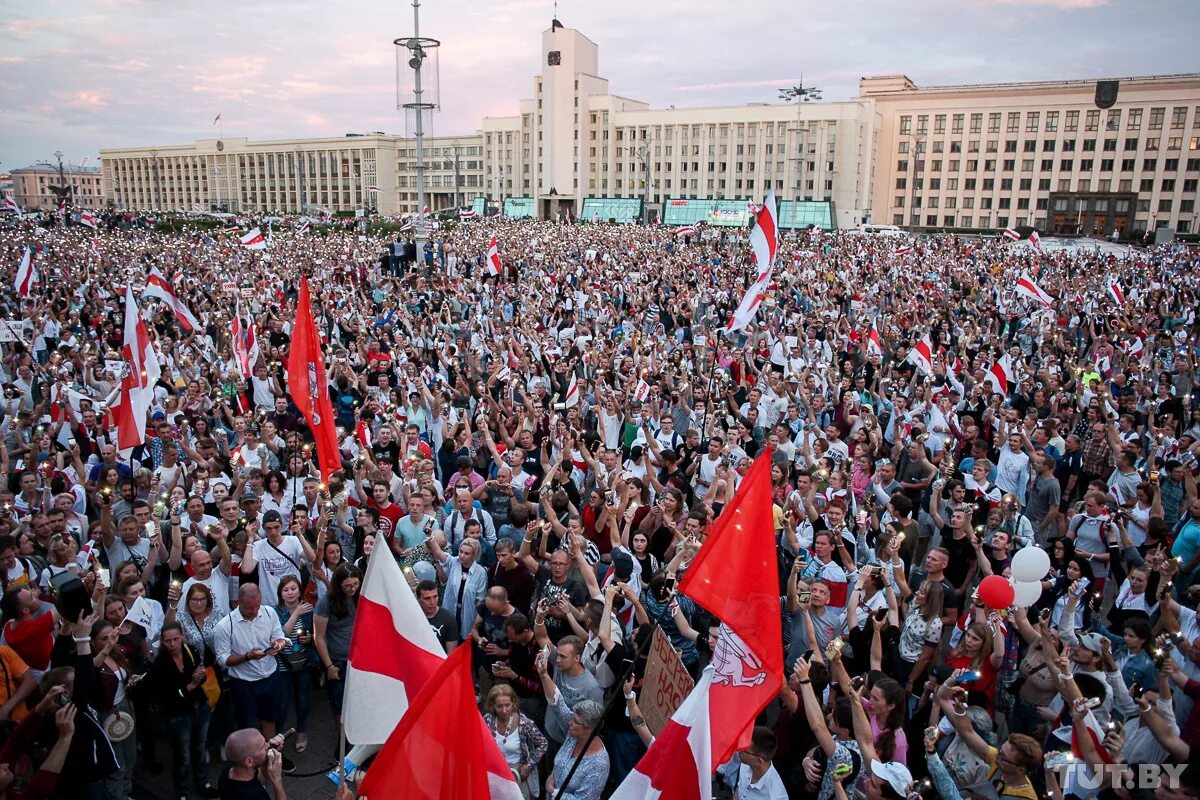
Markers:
{"x": 680, "y": 763}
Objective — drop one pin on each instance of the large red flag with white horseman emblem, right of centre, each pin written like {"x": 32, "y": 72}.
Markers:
{"x": 735, "y": 578}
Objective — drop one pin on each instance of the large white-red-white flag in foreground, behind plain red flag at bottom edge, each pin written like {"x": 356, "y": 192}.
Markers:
{"x": 394, "y": 652}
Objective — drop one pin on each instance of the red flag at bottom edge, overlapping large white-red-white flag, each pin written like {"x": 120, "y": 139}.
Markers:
{"x": 442, "y": 748}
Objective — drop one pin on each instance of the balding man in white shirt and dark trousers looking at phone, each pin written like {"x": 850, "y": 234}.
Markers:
{"x": 247, "y": 643}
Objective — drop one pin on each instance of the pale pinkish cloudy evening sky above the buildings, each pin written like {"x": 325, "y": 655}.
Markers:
{"x": 77, "y": 77}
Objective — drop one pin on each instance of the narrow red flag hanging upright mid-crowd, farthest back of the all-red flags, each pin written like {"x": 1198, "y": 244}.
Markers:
{"x": 308, "y": 386}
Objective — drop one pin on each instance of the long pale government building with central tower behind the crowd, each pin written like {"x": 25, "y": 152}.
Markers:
{"x": 925, "y": 158}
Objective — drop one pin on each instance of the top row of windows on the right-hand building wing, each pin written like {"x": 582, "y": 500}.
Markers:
{"x": 1156, "y": 118}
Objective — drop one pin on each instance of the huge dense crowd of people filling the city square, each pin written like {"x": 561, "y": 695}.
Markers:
{"x": 545, "y": 450}
